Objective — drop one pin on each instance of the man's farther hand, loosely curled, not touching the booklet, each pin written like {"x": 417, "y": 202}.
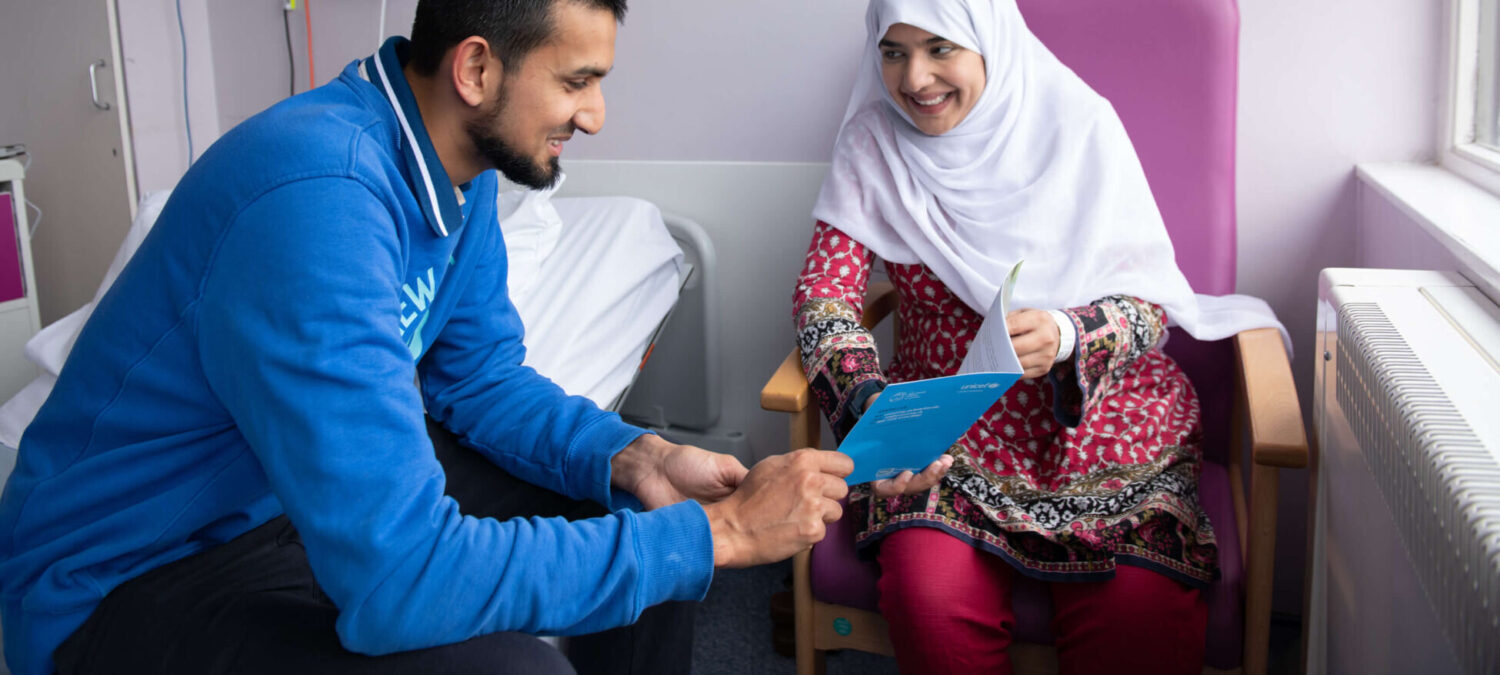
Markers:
{"x": 662, "y": 473}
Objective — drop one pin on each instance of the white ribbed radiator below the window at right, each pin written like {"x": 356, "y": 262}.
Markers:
{"x": 1406, "y": 536}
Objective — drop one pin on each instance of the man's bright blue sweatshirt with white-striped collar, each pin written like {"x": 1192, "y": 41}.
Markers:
{"x": 257, "y": 358}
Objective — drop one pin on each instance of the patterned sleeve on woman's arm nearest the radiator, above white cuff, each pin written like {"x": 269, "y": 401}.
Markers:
{"x": 1114, "y": 332}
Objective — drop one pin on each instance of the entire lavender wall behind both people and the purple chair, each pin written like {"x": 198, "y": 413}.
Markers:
{"x": 1322, "y": 86}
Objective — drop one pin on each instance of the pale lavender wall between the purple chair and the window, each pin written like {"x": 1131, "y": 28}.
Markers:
{"x": 1324, "y": 86}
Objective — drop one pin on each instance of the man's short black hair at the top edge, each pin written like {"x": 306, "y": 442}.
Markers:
{"x": 512, "y": 28}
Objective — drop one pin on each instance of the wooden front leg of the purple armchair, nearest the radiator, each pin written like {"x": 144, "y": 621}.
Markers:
{"x": 1261, "y": 560}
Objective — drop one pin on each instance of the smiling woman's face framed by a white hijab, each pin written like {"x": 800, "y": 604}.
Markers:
{"x": 934, "y": 80}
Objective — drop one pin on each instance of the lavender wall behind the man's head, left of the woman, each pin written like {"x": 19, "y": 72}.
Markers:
{"x": 694, "y": 80}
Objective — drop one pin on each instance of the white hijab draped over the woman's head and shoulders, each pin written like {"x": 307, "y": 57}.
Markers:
{"x": 1040, "y": 170}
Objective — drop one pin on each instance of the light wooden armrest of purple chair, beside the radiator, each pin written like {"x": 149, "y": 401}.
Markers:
{"x": 1277, "y": 437}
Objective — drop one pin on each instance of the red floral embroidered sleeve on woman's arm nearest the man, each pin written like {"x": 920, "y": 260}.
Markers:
{"x": 839, "y": 356}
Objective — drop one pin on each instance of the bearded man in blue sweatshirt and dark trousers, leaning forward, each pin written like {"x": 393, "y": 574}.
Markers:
{"x": 235, "y": 472}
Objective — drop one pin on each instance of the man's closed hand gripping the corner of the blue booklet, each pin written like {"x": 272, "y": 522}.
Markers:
{"x": 782, "y": 508}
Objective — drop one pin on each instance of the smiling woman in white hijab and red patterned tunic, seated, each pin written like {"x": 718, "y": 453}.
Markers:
{"x": 967, "y": 148}
